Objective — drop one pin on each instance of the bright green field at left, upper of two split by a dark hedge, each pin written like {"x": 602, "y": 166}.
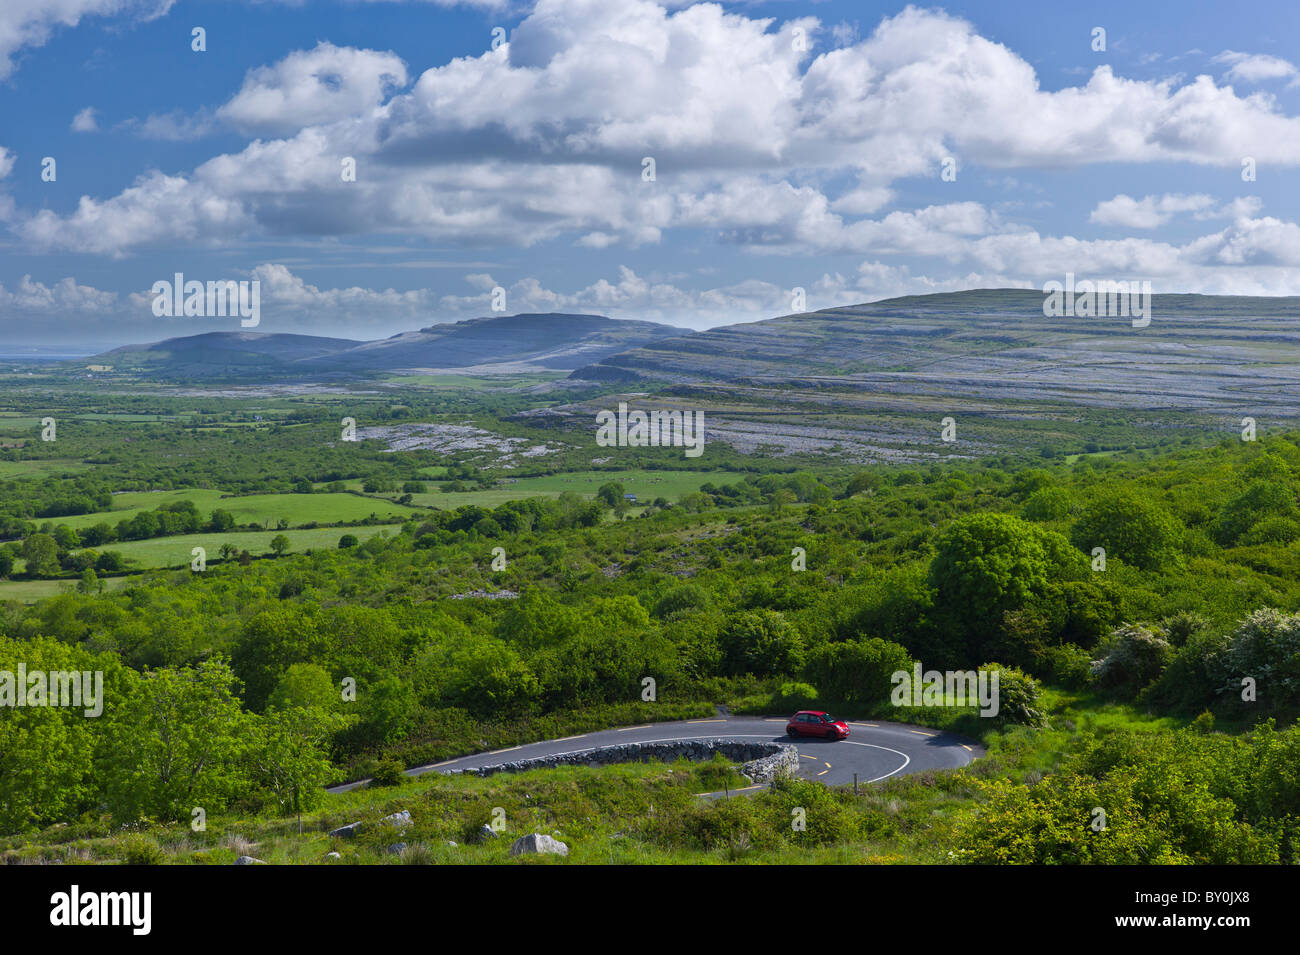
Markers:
{"x": 255, "y": 509}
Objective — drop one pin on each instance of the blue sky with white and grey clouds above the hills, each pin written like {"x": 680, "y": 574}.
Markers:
{"x": 796, "y": 145}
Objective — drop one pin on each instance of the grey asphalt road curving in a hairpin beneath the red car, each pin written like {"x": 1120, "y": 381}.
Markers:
{"x": 873, "y": 752}
